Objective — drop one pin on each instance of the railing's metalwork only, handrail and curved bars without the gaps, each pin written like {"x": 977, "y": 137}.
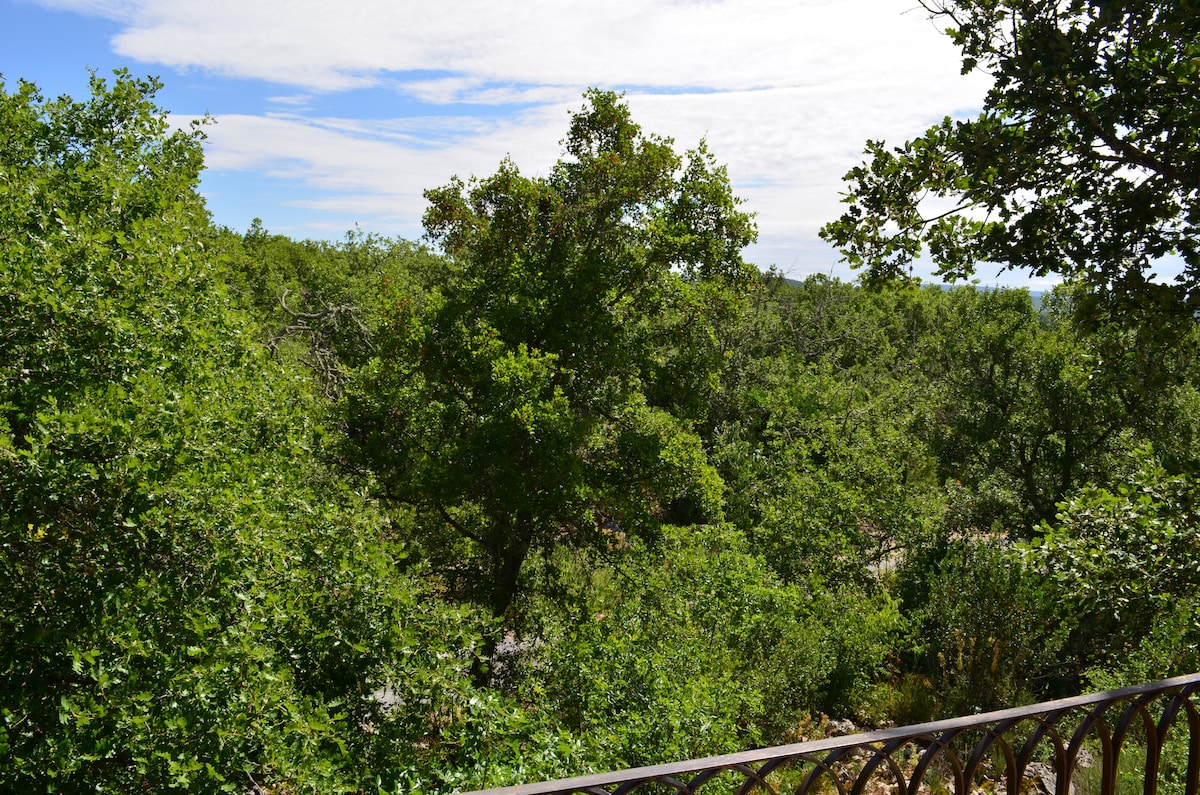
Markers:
{"x": 937, "y": 742}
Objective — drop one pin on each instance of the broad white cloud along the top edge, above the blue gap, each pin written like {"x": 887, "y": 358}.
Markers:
{"x": 725, "y": 45}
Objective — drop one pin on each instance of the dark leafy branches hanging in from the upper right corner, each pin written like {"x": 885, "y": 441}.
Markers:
{"x": 1084, "y": 163}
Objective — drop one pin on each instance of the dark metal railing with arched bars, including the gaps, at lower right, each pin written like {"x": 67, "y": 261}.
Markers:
{"x": 1138, "y": 739}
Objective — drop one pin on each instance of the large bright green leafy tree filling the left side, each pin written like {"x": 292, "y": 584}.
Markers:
{"x": 193, "y": 602}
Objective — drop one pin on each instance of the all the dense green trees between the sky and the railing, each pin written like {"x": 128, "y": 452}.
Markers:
{"x": 569, "y": 486}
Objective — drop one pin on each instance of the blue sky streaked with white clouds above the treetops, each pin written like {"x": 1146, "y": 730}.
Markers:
{"x": 334, "y": 115}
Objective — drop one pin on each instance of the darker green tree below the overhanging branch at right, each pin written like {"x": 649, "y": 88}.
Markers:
{"x": 1027, "y": 409}
